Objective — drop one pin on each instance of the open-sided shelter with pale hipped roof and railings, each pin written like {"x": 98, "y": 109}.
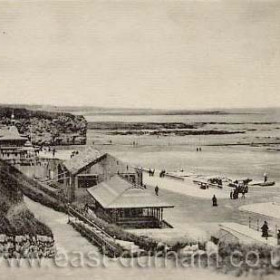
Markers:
{"x": 120, "y": 202}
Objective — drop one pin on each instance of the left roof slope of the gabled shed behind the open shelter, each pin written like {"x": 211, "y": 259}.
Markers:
{"x": 83, "y": 159}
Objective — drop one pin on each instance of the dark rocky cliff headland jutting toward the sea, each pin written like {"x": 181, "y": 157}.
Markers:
{"x": 46, "y": 127}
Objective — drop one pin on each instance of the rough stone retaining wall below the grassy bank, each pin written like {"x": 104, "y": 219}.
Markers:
{"x": 26, "y": 246}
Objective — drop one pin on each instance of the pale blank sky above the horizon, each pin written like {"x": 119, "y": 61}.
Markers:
{"x": 149, "y": 54}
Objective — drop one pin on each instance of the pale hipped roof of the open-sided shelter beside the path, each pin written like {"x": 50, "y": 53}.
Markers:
{"x": 119, "y": 193}
